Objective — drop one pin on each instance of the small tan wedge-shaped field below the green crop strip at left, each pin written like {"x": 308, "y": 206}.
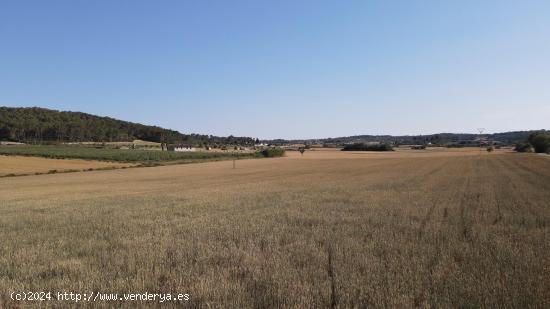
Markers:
{"x": 18, "y": 165}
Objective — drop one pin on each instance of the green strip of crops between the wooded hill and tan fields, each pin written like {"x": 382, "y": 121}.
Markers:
{"x": 116, "y": 155}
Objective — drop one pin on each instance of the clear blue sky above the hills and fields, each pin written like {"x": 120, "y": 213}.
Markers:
{"x": 288, "y": 69}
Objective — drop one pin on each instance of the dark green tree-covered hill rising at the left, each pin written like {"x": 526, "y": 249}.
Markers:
{"x": 39, "y": 125}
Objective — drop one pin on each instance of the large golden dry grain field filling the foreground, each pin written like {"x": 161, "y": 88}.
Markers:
{"x": 434, "y": 228}
